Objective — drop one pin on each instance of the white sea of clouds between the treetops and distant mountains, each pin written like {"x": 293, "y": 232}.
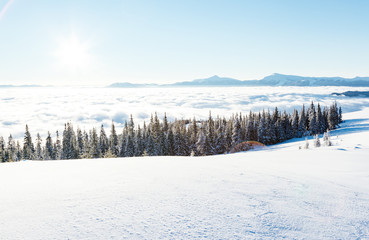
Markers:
{"x": 48, "y": 109}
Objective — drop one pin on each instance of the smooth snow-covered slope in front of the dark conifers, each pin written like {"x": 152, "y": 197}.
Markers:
{"x": 281, "y": 192}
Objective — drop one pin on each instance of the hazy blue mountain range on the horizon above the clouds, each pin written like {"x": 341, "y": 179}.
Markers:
{"x": 272, "y": 80}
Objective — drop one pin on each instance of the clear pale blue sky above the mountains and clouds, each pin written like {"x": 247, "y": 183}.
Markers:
{"x": 100, "y": 42}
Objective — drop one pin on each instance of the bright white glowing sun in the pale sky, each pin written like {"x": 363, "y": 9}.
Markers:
{"x": 73, "y": 53}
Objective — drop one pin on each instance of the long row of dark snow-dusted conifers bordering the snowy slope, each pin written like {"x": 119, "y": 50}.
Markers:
{"x": 177, "y": 138}
